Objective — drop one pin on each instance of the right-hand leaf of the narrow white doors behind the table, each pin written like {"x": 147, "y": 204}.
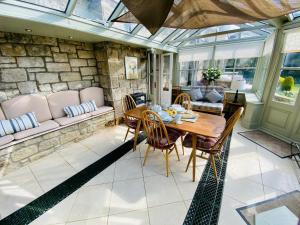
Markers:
{"x": 165, "y": 79}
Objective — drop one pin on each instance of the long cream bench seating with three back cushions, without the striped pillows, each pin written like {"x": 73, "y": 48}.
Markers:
{"x": 49, "y": 111}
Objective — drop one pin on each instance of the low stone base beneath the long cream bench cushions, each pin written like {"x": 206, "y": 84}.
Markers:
{"x": 21, "y": 154}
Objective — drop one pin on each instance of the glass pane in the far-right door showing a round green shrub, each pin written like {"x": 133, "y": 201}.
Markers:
{"x": 288, "y": 84}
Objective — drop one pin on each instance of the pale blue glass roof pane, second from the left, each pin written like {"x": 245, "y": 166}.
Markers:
{"x": 96, "y": 10}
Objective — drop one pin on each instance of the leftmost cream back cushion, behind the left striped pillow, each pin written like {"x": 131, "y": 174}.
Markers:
{"x": 27, "y": 103}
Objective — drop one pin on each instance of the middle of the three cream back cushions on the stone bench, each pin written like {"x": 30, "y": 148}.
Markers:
{"x": 57, "y": 101}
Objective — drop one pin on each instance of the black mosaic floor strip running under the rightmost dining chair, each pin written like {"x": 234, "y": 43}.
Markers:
{"x": 206, "y": 203}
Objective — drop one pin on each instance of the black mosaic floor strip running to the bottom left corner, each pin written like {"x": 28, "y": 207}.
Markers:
{"x": 39, "y": 206}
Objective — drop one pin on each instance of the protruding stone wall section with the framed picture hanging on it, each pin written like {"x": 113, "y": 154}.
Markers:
{"x": 111, "y": 68}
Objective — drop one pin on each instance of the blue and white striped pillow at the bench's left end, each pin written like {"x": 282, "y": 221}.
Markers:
{"x": 24, "y": 122}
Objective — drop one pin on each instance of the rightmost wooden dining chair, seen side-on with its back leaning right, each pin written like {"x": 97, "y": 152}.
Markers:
{"x": 213, "y": 146}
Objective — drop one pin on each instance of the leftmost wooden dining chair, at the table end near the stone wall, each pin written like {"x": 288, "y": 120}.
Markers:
{"x": 128, "y": 104}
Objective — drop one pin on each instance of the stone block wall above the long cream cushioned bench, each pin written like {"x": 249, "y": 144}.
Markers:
{"x": 36, "y": 64}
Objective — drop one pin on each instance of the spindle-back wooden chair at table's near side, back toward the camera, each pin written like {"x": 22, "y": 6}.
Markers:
{"x": 158, "y": 137}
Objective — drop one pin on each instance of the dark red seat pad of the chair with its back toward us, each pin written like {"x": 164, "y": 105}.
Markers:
{"x": 162, "y": 143}
